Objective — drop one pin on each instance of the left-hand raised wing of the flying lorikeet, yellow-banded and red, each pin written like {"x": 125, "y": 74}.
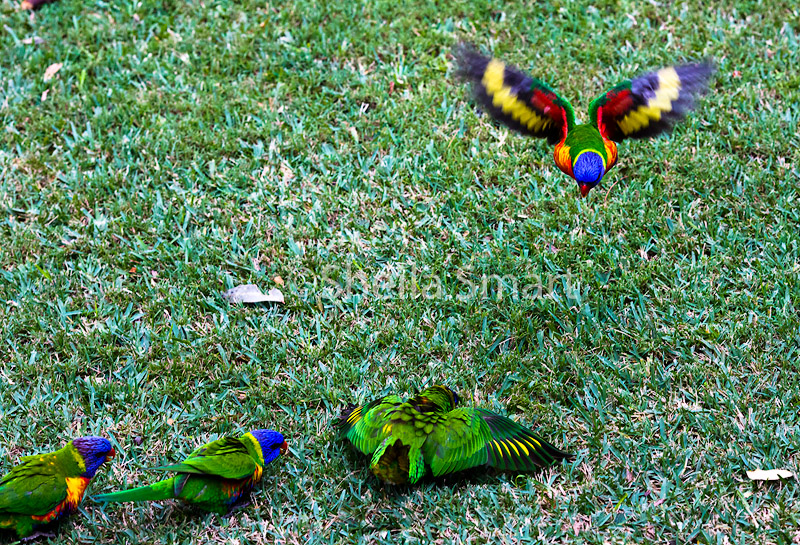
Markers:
{"x": 521, "y": 102}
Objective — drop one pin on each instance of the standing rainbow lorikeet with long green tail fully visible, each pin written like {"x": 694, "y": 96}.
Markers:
{"x": 216, "y": 477}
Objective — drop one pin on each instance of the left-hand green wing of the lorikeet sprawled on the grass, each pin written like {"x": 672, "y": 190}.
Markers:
{"x": 364, "y": 426}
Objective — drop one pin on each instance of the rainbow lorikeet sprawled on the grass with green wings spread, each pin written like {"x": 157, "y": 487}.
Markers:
{"x": 405, "y": 438}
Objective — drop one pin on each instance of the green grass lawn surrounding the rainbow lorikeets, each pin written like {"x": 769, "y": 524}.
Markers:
{"x": 184, "y": 148}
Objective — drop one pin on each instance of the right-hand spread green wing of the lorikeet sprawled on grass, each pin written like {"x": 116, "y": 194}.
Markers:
{"x": 467, "y": 438}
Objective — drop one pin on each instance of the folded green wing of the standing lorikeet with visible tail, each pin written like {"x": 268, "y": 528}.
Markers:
{"x": 226, "y": 457}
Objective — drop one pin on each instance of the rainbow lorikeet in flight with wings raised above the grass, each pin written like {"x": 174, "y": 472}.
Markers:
{"x": 645, "y": 106}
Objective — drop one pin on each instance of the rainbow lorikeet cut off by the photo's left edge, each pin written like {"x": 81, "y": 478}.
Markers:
{"x": 45, "y": 488}
